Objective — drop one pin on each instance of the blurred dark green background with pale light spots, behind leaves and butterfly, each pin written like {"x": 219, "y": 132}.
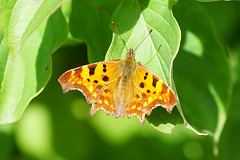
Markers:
{"x": 58, "y": 126}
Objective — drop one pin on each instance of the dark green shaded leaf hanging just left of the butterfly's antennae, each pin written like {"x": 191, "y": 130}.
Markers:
{"x": 91, "y": 25}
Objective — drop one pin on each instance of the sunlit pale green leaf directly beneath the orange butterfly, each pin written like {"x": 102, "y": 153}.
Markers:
{"x": 134, "y": 20}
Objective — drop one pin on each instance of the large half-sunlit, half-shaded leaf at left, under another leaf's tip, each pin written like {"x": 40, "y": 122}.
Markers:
{"x": 26, "y": 77}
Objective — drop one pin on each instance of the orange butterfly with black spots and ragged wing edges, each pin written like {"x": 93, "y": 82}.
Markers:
{"x": 121, "y": 87}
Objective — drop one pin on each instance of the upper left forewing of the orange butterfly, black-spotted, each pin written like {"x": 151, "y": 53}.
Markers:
{"x": 90, "y": 79}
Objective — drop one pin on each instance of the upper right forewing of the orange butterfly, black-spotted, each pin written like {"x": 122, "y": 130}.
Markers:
{"x": 154, "y": 91}
